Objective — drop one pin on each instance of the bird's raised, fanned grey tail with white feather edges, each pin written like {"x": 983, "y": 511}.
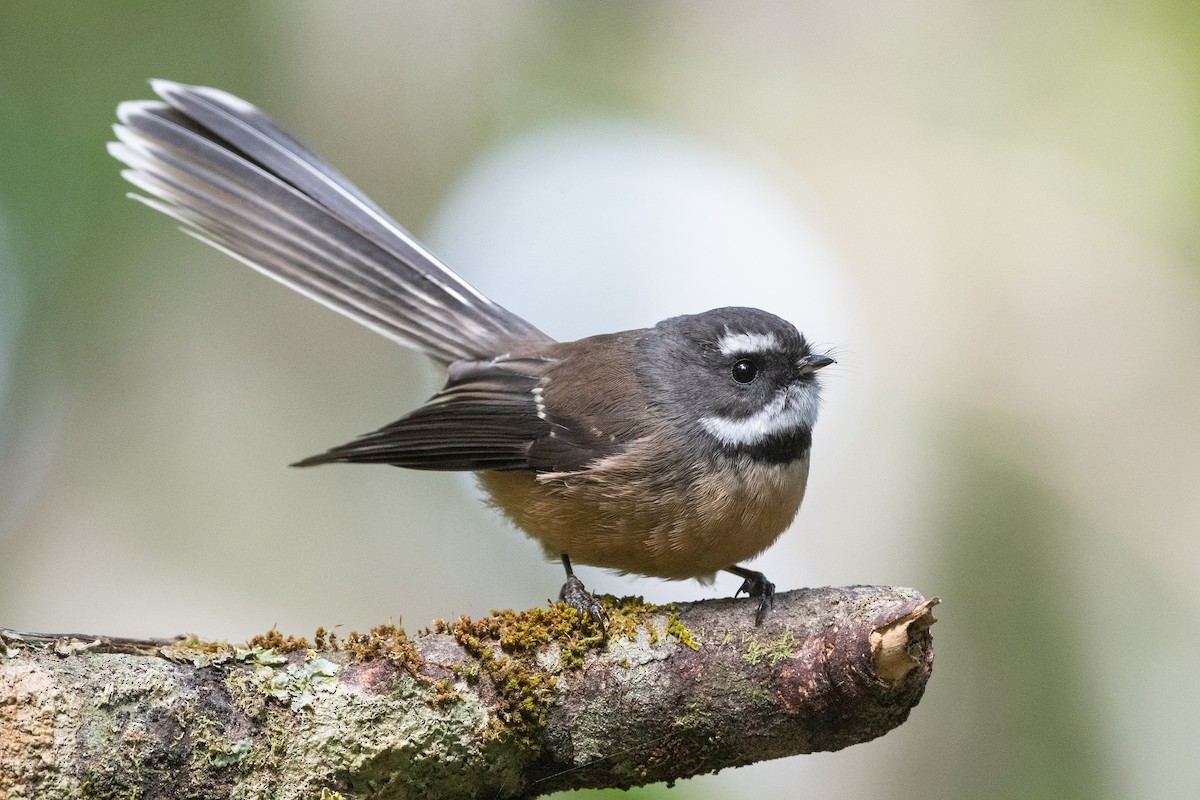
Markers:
{"x": 243, "y": 185}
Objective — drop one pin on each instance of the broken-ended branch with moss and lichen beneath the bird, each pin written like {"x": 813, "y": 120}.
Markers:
{"x": 508, "y": 706}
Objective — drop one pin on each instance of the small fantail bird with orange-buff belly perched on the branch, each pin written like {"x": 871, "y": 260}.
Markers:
{"x": 673, "y": 452}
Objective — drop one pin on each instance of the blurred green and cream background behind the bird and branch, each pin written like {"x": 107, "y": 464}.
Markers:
{"x": 988, "y": 210}
